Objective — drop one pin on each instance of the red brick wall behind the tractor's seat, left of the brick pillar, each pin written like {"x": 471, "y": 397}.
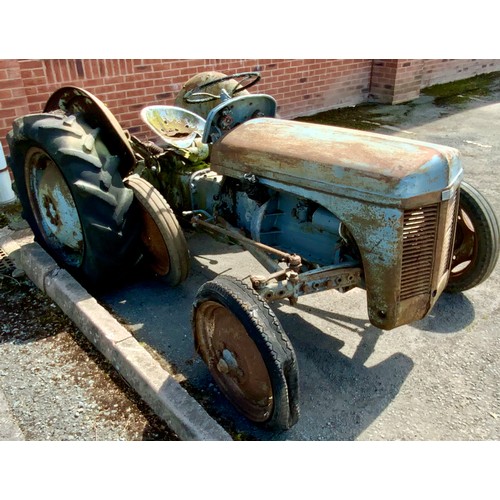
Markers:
{"x": 300, "y": 86}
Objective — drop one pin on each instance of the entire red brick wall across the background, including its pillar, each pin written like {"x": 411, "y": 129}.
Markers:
{"x": 300, "y": 86}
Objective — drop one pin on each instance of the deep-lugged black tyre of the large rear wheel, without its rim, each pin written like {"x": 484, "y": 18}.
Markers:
{"x": 108, "y": 221}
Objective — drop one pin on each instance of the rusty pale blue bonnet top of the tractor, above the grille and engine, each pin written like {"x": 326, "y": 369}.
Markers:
{"x": 333, "y": 160}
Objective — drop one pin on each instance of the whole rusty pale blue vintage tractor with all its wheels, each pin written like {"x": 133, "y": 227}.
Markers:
{"x": 321, "y": 207}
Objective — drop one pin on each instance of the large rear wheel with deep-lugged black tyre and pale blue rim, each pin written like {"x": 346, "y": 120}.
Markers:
{"x": 73, "y": 197}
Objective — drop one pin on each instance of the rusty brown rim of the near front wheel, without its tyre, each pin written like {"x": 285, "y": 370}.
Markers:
{"x": 234, "y": 360}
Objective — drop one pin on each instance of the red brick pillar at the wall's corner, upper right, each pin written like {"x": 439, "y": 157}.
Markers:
{"x": 395, "y": 81}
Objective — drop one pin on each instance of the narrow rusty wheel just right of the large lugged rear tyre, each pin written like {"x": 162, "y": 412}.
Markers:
{"x": 165, "y": 249}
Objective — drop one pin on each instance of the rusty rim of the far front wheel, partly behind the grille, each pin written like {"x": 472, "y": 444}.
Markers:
{"x": 465, "y": 249}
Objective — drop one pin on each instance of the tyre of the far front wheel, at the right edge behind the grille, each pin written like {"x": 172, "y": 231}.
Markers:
{"x": 485, "y": 246}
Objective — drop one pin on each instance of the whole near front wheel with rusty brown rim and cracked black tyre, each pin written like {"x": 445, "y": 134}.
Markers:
{"x": 247, "y": 352}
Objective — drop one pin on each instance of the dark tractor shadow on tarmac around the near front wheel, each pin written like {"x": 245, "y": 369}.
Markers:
{"x": 340, "y": 397}
